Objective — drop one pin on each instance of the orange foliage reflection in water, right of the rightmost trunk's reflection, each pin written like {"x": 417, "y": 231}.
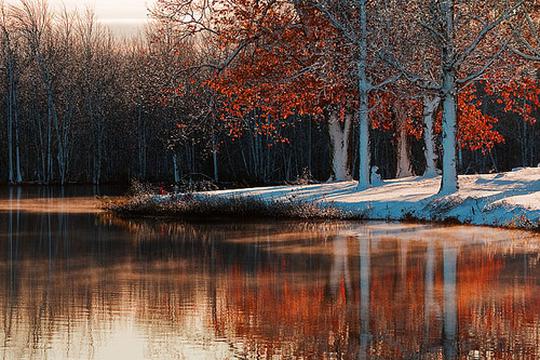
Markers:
{"x": 498, "y": 302}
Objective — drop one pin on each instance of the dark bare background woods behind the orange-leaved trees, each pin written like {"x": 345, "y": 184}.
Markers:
{"x": 80, "y": 106}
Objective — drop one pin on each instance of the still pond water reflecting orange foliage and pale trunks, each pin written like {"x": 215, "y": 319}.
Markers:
{"x": 79, "y": 284}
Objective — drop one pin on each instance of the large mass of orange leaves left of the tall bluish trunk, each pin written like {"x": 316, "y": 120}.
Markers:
{"x": 285, "y": 69}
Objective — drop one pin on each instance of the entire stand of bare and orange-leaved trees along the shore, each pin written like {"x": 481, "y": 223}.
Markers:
{"x": 253, "y": 92}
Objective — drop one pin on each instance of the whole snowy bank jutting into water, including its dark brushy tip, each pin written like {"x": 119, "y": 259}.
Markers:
{"x": 509, "y": 199}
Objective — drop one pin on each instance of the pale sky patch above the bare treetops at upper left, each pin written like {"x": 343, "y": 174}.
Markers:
{"x": 123, "y": 16}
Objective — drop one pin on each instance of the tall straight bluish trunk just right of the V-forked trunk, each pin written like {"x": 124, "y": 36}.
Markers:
{"x": 364, "y": 180}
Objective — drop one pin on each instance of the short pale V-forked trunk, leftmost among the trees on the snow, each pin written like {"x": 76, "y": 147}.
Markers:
{"x": 339, "y": 140}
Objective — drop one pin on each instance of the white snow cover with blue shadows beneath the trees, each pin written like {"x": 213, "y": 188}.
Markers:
{"x": 505, "y": 199}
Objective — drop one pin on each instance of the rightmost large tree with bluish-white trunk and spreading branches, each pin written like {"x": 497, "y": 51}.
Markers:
{"x": 463, "y": 59}
